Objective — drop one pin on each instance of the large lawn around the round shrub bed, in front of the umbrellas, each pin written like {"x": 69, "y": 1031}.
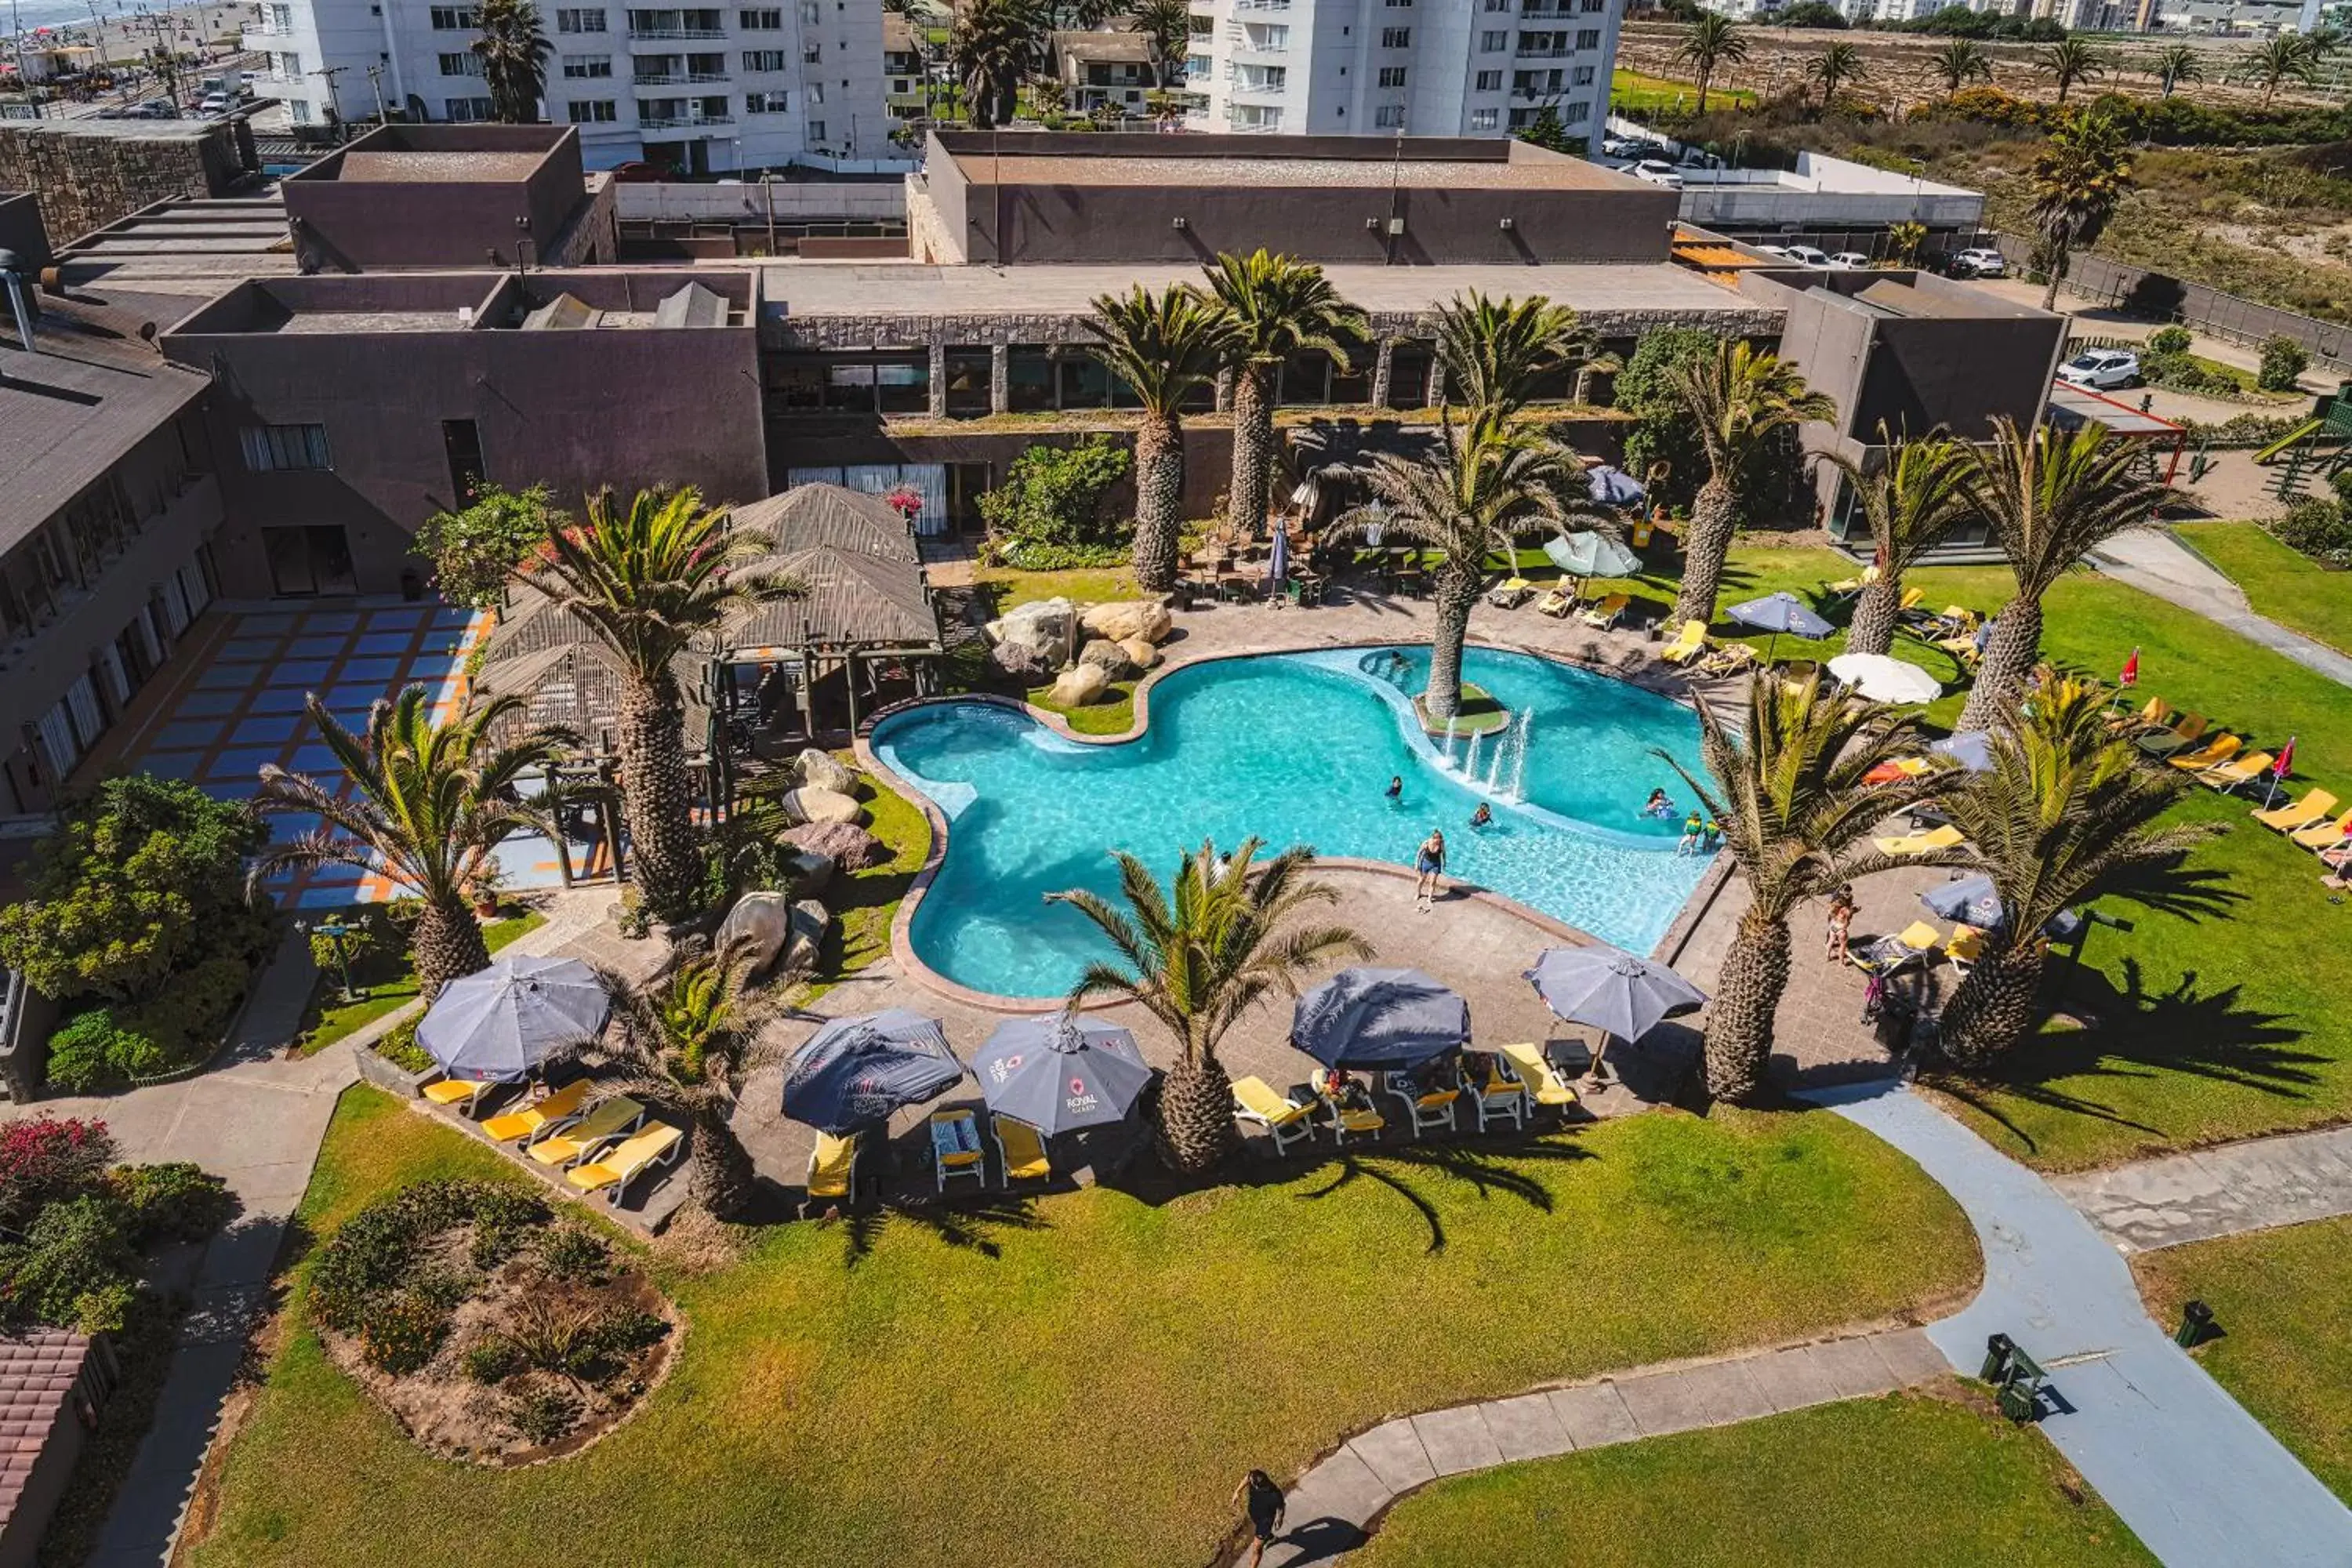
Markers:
{"x": 1081, "y": 1379}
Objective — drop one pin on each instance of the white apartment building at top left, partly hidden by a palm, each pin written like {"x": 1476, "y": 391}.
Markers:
{"x": 700, "y": 88}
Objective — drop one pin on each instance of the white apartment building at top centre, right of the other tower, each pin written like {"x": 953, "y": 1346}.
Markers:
{"x": 1415, "y": 67}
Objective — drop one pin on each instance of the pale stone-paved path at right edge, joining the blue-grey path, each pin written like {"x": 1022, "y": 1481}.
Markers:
{"x": 2217, "y": 1193}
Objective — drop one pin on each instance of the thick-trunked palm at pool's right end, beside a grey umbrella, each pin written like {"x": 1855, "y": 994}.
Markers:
{"x": 1798, "y": 817}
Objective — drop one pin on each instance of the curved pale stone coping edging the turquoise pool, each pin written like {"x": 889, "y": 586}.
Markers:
{"x": 902, "y": 942}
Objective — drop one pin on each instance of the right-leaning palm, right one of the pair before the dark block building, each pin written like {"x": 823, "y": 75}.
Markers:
{"x": 2052, "y": 497}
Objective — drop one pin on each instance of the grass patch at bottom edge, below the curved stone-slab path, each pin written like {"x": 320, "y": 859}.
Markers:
{"x": 1866, "y": 1485}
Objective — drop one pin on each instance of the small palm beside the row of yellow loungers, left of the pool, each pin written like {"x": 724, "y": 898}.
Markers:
{"x": 690, "y": 1038}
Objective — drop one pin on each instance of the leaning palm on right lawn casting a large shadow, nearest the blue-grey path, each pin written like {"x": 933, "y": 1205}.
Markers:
{"x": 2066, "y": 808}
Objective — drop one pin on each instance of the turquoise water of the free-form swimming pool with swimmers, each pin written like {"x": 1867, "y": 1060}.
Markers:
{"x": 1295, "y": 749}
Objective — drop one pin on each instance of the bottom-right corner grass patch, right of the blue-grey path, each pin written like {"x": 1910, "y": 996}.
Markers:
{"x": 2283, "y": 1301}
